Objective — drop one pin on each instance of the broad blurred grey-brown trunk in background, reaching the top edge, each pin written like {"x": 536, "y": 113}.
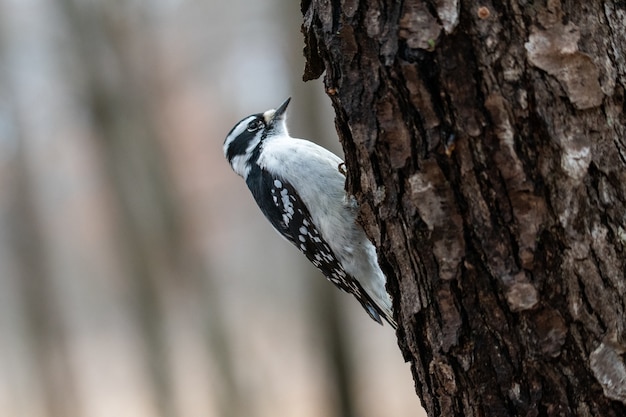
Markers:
{"x": 117, "y": 96}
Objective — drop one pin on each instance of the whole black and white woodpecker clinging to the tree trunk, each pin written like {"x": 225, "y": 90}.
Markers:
{"x": 299, "y": 187}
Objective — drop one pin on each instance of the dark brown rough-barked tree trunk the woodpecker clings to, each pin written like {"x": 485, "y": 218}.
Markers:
{"x": 486, "y": 143}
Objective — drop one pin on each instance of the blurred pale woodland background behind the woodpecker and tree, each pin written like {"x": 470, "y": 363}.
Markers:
{"x": 137, "y": 276}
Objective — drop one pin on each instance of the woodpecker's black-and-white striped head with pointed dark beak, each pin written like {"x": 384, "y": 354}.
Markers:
{"x": 242, "y": 145}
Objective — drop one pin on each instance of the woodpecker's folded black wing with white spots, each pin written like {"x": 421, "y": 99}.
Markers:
{"x": 282, "y": 206}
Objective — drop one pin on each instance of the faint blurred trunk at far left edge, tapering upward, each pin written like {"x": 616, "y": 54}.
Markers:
{"x": 44, "y": 328}
